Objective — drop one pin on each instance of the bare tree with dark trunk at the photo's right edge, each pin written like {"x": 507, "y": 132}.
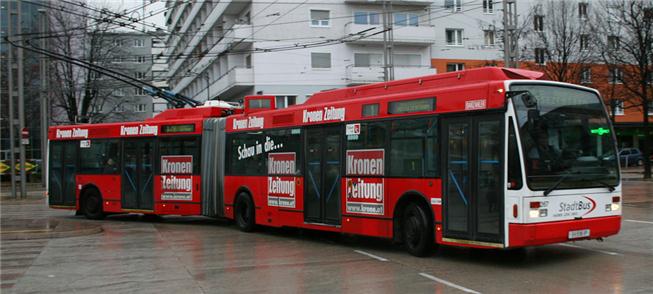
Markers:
{"x": 624, "y": 30}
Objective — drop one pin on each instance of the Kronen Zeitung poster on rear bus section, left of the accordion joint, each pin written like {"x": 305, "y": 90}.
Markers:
{"x": 177, "y": 177}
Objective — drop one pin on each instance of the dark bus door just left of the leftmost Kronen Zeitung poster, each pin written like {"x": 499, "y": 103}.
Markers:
{"x": 137, "y": 174}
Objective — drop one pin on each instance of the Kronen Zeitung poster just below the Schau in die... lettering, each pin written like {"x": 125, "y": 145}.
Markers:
{"x": 281, "y": 179}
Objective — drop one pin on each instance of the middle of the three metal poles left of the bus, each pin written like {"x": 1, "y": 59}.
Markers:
{"x": 21, "y": 103}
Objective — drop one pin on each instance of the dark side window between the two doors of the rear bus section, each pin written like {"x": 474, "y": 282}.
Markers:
{"x": 101, "y": 157}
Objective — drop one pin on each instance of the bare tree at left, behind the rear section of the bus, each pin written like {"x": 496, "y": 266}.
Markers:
{"x": 78, "y": 94}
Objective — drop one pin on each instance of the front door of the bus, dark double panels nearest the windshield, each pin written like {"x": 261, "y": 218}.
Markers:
{"x": 473, "y": 178}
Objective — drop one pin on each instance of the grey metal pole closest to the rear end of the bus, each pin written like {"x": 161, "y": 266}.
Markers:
{"x": 44, "y": 103}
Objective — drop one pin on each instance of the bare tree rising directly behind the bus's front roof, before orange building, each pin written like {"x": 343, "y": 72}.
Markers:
{"x": 557, "y": 38}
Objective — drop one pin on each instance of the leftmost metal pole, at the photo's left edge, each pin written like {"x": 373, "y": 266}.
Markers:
{"x": 10, "y": 80}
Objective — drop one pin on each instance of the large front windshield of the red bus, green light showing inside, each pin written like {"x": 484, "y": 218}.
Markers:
{"x": 566, "y": 138}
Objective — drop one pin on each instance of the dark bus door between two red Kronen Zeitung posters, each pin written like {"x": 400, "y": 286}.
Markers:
{"x": 322, "y": 178}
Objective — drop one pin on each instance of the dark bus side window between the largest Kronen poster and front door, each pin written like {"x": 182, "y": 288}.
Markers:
{"x": 413, "y": 148}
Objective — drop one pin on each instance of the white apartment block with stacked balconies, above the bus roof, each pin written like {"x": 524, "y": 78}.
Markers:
{"x": 292, "y": 49}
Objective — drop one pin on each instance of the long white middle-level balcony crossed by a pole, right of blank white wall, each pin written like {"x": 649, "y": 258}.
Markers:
{"x": 402, "y": 35}
